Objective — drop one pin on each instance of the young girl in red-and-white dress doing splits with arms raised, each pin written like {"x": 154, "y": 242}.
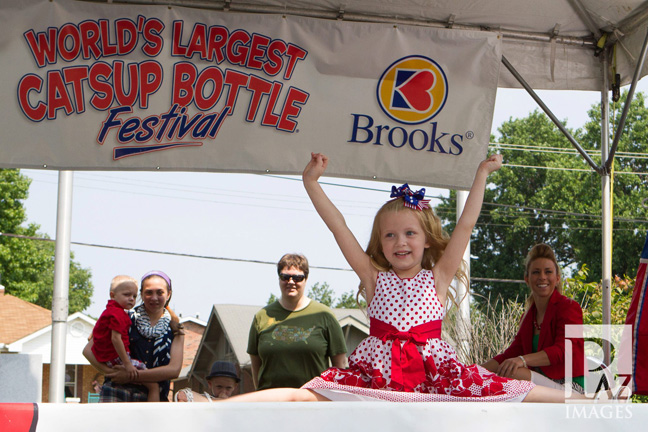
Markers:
{"x": 406, "y": 271}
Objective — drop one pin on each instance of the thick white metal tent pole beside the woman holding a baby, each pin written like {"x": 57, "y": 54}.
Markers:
{"x": 61, "y": 287}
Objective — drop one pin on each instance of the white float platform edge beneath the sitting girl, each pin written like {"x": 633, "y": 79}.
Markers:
{"x": 329, "y": 416}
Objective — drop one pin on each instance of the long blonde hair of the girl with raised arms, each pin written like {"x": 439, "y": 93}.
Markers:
{"x": 435, "y": 236}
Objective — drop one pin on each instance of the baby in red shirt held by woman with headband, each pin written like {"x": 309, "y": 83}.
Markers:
{"x": 110, "y": 334}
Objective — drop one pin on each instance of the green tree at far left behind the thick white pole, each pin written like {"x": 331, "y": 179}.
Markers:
{"x": 27, "y": 265}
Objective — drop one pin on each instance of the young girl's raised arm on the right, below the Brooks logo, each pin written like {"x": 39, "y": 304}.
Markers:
{"x": 446, "y": 268}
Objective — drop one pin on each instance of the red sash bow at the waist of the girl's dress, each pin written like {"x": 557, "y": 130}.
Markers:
{"x": 407, "y": 369}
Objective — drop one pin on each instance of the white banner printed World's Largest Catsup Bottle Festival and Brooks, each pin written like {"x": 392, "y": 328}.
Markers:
{"x": 117, "y": 87}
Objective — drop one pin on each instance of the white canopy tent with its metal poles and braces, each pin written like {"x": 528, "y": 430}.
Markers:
{"x": 557, "y": 45}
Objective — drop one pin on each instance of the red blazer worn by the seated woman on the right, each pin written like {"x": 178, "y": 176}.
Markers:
{"x": 560, "y": 311}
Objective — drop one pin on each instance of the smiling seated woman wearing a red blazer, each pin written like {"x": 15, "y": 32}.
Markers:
{"x": 538, "y": 351}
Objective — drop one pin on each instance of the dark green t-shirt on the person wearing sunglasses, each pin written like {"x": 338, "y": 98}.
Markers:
{"x": 294, "y": 346}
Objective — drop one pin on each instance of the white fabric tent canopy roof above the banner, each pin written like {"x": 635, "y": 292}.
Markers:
{"x": 552, "y": 44}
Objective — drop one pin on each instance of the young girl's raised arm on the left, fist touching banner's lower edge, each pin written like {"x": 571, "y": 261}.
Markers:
{"x": 351, "y": 249}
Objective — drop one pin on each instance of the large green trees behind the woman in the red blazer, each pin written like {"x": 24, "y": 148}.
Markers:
{"x": 547, "y": 193}
